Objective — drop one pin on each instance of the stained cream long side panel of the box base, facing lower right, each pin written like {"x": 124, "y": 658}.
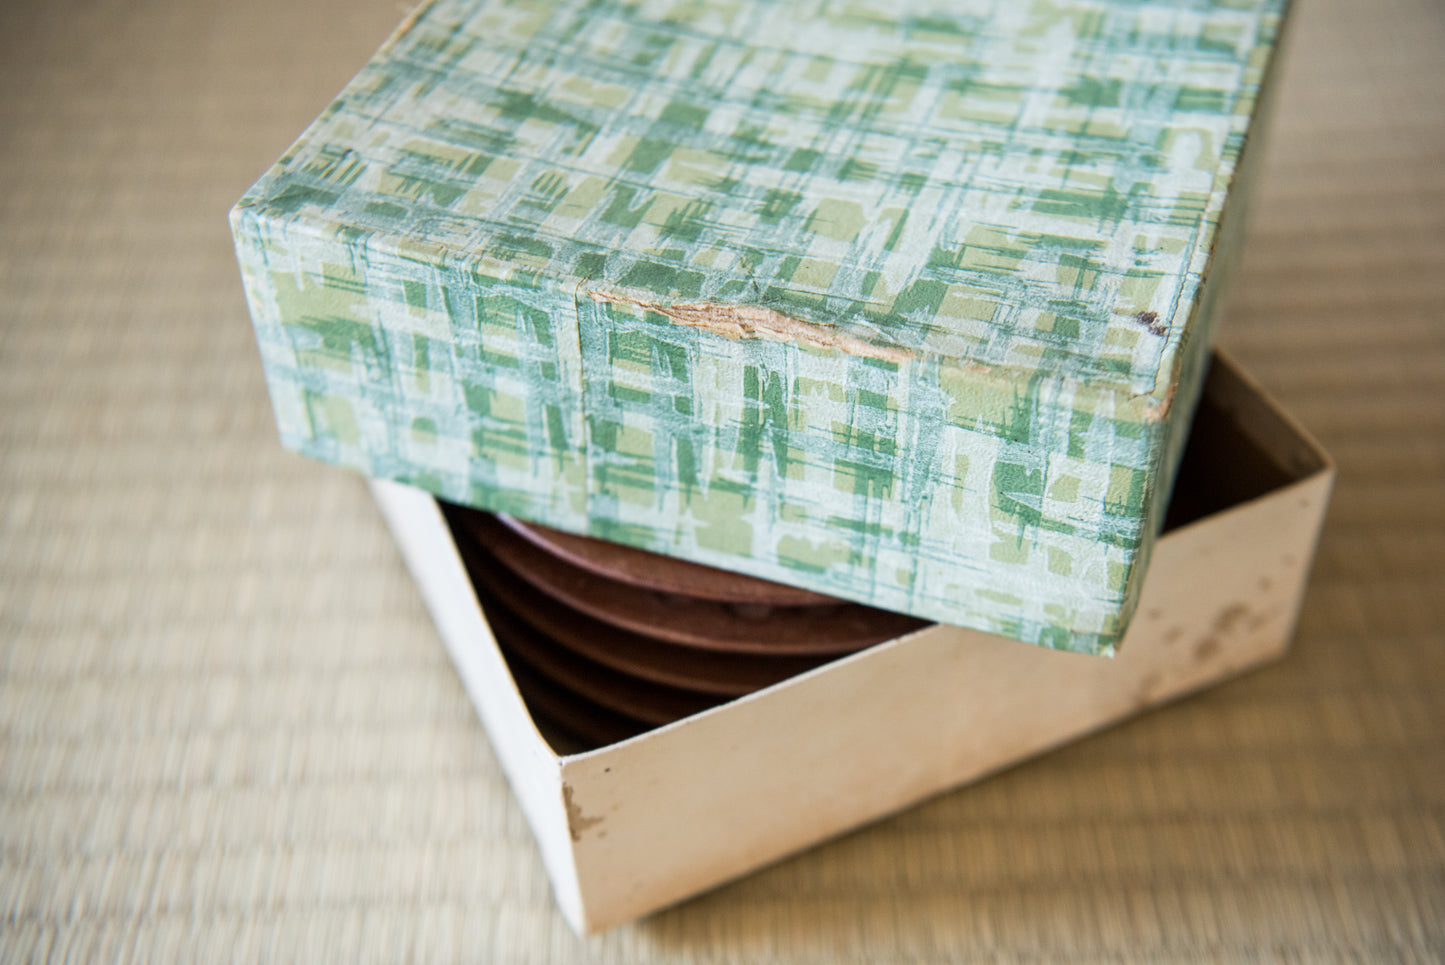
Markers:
{"x": 684, "y": 808}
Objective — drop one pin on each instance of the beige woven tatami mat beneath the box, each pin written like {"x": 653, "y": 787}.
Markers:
{"x": 228, "y": 729}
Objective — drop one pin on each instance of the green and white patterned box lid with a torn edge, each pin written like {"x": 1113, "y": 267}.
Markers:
{"x": 897, "y": 301}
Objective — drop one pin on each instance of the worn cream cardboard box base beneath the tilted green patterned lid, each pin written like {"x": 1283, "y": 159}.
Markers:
{"x": 634, "y": 827}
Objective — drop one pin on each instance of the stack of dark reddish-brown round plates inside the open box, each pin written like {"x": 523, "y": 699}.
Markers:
{"x": 608, "y": 642}
